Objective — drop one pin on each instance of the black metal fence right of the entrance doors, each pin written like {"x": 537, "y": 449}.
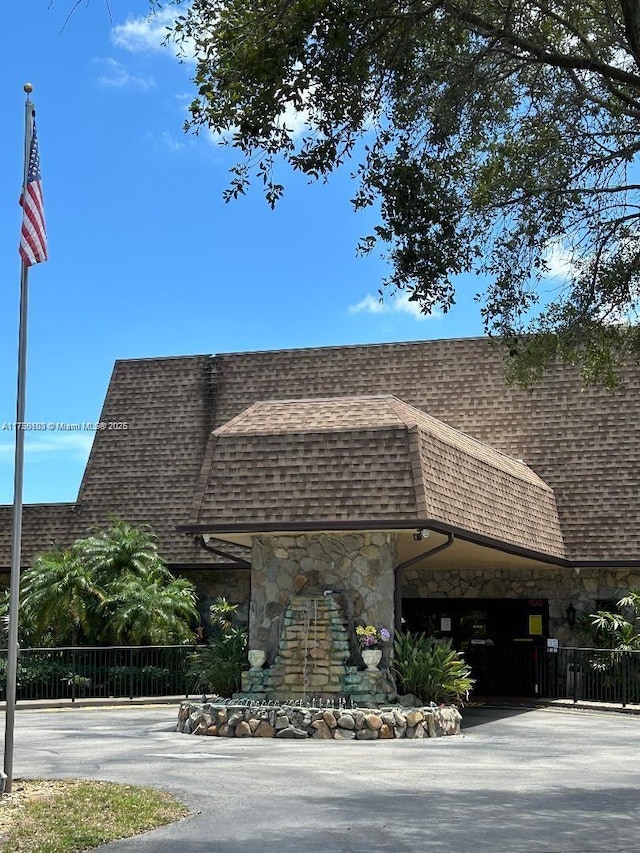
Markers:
{"x": 591, "y": 675}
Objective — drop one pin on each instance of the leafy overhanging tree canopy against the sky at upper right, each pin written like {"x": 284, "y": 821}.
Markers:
{"x": 496, "y": 136}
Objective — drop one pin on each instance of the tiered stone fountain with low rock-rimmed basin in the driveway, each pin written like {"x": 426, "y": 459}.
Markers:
{"x": 313, "y": 690}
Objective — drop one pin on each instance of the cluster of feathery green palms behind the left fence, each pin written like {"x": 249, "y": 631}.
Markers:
{"x": 111, "y": 587}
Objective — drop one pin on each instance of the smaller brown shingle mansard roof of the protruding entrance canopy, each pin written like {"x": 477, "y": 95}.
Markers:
{"x": 355, "y": 459}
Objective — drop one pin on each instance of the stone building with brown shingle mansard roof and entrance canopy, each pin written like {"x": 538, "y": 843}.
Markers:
{"x": 408, "y": 476}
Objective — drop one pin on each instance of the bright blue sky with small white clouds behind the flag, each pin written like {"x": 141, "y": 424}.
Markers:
{"x": 145, "y": 257}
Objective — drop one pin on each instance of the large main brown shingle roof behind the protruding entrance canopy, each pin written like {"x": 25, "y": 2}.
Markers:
{"x": 583, "y": 443}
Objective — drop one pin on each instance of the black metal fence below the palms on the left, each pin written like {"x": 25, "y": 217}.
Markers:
{"x": 101, "y": 672}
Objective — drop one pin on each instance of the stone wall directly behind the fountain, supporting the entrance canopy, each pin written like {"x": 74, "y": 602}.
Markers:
{"x": 358, "y": 566}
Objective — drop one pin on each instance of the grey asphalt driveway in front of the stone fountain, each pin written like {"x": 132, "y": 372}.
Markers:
{"x": 536, "y": 781}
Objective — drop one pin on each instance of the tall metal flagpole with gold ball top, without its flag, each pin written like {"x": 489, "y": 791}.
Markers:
{"x": 16, "y": 541}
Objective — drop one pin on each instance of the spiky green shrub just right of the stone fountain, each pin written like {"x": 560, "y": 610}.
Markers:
{"x": 430, "y": 669}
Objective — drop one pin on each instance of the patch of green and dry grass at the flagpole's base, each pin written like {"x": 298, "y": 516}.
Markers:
{"x": 74, "y": 815}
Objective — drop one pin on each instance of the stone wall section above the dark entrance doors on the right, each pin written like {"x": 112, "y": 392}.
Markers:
{"x": 561, "y": 586}
